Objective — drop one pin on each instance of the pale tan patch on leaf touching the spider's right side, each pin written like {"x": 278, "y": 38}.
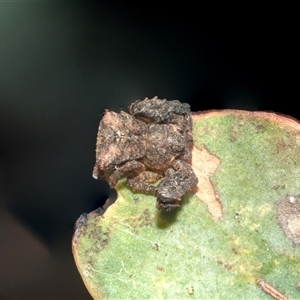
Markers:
{"x": 204, "y": 165}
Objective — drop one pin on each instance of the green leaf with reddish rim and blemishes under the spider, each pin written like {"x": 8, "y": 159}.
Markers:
{"x": 235, "y": 237}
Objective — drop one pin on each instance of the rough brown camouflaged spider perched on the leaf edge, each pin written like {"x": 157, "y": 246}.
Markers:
{"x": 151, "y": 142}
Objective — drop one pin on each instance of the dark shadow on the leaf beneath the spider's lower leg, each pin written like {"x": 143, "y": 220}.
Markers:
{"x": 166, "y": 219}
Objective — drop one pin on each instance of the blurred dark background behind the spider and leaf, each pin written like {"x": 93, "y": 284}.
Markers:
{"x": 63, "y": 63}
